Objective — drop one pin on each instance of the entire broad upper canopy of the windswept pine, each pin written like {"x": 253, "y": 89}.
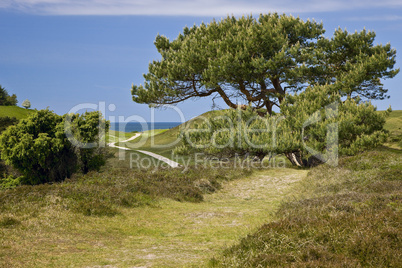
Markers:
{"x": 259, "y": 61}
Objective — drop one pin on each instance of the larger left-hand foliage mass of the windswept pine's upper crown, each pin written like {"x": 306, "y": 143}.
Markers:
{"x": 232, "y": 58}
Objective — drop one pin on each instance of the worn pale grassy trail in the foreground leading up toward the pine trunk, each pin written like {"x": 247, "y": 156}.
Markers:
{"x": 185, "y": 234}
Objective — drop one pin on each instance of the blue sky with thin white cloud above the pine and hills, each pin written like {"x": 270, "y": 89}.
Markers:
{"x": 62, "y": 53}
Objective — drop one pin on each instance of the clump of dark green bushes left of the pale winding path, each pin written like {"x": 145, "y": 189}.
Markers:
{"x": 39, "y": 148}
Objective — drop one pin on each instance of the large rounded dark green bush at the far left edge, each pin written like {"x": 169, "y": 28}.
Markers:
{"x": 38, "y": 148}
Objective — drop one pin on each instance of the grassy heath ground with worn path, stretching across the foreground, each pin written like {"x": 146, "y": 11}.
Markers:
{"x": 125, "y": 216}
